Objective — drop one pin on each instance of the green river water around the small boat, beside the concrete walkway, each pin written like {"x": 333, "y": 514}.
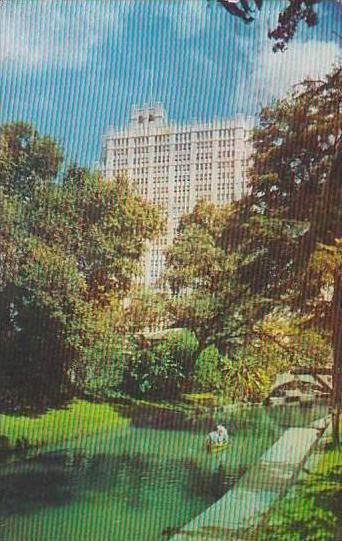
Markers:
{"x": 138, "y": 482}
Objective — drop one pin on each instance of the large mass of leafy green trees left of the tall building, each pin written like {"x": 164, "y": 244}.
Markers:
{"x": 70, "y": 255}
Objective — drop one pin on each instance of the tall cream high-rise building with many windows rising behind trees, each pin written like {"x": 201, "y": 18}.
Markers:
{"x": 175, "y": 166}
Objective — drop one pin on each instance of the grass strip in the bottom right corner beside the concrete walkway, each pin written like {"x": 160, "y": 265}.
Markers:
{"x": 312, "y": 511}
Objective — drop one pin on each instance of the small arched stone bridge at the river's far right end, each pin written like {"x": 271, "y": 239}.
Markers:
{"x": 317, "y": 380}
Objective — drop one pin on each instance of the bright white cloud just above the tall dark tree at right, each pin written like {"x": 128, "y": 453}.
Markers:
{"x": 275, "y": 73}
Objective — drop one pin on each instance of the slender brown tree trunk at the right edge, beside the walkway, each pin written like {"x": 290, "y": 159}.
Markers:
{"x": 336, "y": 398}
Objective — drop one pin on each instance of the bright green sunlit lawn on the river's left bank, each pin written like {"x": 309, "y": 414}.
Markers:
{"x": 80, "y": 418}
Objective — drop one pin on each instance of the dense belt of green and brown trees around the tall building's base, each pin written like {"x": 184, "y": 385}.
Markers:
{"x": 256, "y": 285}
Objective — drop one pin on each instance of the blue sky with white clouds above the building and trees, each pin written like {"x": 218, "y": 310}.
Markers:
{"x": 73, "y": 68}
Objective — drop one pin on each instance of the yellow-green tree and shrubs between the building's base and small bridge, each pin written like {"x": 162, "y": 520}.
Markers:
{"x": 256, "y": 336}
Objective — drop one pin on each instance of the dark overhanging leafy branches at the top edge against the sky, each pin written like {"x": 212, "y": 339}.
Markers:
{"x": 288, "y": 20}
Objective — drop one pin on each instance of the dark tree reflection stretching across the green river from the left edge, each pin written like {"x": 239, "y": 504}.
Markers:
{"x": 55, "y": 479}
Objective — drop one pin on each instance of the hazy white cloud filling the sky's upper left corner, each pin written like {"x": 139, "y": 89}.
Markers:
{"x": 35, "y": 33}
